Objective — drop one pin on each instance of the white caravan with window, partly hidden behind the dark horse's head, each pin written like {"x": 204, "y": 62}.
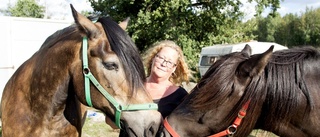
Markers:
{"x": 212, "y": 53}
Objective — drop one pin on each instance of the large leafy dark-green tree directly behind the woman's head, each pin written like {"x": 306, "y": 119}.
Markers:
{"x": 192, "y": 24}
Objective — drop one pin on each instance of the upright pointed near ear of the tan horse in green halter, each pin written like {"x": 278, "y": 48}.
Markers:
{"x": 85, "y": 25}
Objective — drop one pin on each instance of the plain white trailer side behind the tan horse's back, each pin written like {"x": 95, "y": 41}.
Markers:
{"x": 20, "y": 39}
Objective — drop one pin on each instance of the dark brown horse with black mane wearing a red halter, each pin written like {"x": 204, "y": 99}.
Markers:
{"x": 274, "y": 91}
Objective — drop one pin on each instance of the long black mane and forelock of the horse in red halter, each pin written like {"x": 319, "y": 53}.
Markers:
{"x": 272, "y": 91}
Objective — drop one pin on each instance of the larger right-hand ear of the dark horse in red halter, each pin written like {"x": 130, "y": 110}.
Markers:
{"x": 255, "y": 64}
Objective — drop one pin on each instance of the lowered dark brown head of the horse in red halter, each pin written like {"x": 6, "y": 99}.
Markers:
{"x": 211, "y": 106}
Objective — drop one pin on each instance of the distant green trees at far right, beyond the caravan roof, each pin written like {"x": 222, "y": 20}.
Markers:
{"x": 292, "y": 29}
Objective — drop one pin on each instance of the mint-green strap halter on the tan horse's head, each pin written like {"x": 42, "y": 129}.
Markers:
{"x": 89, "y": 77}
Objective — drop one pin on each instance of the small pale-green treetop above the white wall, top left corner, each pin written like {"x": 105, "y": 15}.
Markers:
{"x": 26, "y": 8}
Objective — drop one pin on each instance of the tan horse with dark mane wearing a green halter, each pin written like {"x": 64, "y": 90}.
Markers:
{"x": 44, "y": 96}
